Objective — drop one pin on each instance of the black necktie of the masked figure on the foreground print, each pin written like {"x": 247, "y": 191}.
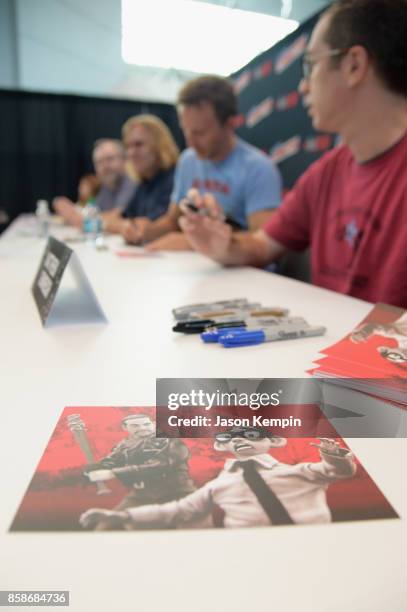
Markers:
{"x": 270, "y": 503}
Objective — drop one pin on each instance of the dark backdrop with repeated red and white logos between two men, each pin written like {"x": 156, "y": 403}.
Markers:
{"x": 272, "y": 116}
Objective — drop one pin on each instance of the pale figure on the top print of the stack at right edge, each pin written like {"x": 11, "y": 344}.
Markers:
{"x": 396, "y": 330}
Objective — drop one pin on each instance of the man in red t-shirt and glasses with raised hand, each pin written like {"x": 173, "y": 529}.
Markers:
{"x": 350, "y": 206}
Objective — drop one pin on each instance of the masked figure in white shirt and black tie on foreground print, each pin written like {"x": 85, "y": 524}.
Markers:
{"x": 253, "y": 489}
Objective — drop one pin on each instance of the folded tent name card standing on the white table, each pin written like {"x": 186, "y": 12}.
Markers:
{"x": 62, "y": 291}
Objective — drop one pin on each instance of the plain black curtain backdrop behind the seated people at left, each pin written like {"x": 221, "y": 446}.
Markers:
{"x": 46, "y": 142}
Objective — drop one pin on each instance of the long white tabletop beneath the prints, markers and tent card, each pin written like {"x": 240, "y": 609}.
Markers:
{"x": 345, "y": 566}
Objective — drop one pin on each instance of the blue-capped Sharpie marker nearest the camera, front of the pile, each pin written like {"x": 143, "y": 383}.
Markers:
{"x": 258, "y": 336}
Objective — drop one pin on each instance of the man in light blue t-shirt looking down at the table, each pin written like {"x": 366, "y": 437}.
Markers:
{"x": 244, "y": 180}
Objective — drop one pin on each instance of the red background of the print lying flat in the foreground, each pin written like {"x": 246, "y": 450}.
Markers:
{"x": 59, "y": 492}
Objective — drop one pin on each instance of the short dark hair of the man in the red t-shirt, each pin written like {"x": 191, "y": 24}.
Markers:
{"x": 380, "y": 26}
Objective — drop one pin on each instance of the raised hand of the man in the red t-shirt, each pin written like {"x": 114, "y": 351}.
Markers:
{"x": 207, "y": 233}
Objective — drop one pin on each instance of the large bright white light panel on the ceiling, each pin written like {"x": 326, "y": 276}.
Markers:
{"x": 196, "y": 36}
